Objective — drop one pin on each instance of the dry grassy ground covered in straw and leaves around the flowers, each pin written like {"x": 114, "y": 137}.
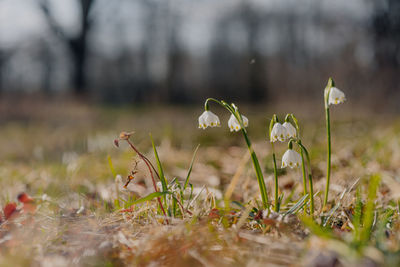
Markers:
{"x": 58, "y": 154}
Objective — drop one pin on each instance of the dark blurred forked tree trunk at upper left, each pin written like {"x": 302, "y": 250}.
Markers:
{"x": 77, "y": 45}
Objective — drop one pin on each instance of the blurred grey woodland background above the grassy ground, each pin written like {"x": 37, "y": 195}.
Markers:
{"x": 182, "y": 51}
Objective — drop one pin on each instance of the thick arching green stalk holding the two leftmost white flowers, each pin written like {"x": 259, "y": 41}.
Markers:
{"x": 256, "y": 164}
